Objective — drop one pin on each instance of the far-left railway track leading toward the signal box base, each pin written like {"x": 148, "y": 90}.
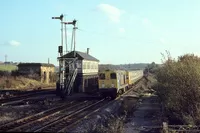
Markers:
{"x": 20, "y": 98}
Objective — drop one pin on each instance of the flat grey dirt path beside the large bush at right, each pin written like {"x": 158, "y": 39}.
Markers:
{"x": 148, "y": 113}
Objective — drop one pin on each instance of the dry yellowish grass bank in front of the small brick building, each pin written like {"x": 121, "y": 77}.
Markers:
{"x": 16, "y": 83}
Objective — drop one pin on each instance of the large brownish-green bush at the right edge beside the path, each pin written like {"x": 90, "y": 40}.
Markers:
{"x": 178, "y": 87}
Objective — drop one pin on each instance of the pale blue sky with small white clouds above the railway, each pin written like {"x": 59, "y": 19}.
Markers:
{"x": 116, "y": 31}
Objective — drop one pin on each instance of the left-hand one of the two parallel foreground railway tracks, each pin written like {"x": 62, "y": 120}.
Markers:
{"x": 37, "y": 120}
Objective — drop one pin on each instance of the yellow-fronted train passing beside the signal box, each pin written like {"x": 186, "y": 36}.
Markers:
{"x": 112, "y": 83}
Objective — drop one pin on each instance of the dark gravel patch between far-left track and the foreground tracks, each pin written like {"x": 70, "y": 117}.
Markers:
{"x": 14, "y": 112}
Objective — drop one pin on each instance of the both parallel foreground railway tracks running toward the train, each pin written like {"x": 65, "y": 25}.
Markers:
{"x": 58, "y": 119}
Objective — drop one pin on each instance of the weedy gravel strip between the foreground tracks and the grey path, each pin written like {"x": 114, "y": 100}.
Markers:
{"x": 111, "y": 118}
